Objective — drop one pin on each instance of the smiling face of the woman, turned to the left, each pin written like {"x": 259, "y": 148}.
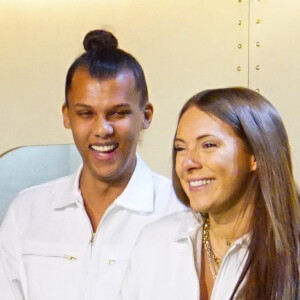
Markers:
{"x": 212, "y": 162}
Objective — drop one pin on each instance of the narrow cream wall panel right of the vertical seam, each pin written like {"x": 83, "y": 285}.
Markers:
{"x": 278, "y": 56}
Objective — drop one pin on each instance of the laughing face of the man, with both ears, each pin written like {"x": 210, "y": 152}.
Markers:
{"x": 106, "y": 119}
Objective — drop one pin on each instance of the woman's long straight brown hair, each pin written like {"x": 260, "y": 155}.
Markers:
{"x": 271, "y": 271}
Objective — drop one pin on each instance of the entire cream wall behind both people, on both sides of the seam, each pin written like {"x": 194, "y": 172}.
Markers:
{"x": 183, "y": 46}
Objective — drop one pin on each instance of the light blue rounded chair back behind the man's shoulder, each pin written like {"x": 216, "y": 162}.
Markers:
{"x": 27, "y": 166}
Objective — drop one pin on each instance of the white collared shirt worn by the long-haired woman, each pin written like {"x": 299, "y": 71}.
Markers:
{"x": 163, "y": 266}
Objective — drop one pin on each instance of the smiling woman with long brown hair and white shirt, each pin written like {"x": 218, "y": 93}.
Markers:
{"x": 232, "y": 166}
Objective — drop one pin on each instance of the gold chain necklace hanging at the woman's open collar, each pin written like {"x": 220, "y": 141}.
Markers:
{"x": 213, "y": 260}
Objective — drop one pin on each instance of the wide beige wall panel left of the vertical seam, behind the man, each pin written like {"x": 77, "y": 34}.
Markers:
{"x": 184, "y": 47}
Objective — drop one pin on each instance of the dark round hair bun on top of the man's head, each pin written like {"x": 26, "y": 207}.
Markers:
{"x": 100, "y": 40}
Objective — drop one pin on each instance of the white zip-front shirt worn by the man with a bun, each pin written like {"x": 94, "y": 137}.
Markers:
{"x": 47, "y": 248}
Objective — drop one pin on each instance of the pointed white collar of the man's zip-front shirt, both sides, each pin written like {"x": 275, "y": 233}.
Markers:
{"x": 138, "y": 194}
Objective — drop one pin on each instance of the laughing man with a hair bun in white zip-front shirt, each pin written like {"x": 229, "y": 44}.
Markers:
{"x": 72, "y": 238}
